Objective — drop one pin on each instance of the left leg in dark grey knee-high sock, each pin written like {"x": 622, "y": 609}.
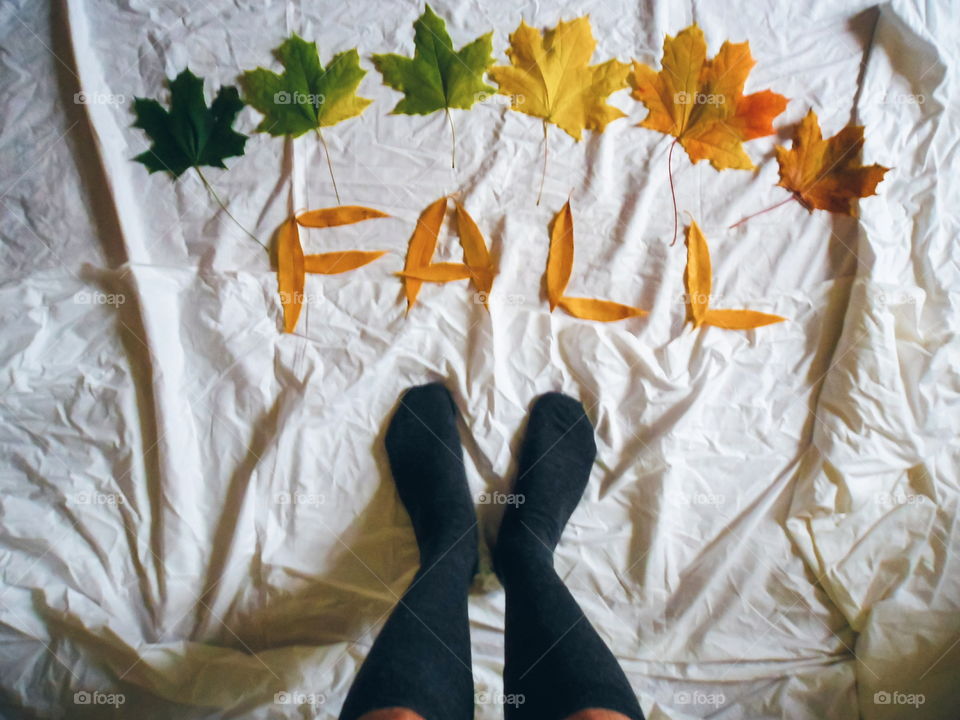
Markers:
{"x": 419, "y": 665}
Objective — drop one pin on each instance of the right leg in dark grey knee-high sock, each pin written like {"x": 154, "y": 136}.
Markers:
{"x": 555, "y": 661}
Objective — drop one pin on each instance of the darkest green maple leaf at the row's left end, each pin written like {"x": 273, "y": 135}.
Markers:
{"x": 190, "y": 134}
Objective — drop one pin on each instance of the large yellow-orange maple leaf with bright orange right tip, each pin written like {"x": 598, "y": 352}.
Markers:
{"x": 701, "y": 103}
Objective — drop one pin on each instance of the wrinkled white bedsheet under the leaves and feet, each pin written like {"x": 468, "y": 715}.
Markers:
{"x": 771, "y": 528}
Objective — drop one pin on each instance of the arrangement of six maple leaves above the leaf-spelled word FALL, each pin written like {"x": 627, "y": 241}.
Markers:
{"x": 697, "y": 101}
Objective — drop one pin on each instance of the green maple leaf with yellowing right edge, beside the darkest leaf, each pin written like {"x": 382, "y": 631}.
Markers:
{"x": 305, "y": 96}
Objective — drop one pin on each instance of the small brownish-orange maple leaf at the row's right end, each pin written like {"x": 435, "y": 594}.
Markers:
{"x": 827, "y": 174}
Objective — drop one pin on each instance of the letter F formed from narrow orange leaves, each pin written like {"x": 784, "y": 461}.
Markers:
{"x": 293, "y": 264}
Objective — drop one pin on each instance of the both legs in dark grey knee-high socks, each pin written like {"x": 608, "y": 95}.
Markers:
{"x": 555, "y": 664}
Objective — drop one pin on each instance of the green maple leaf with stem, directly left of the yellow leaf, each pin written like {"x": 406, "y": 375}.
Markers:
{"x": 437, "y": 77}
